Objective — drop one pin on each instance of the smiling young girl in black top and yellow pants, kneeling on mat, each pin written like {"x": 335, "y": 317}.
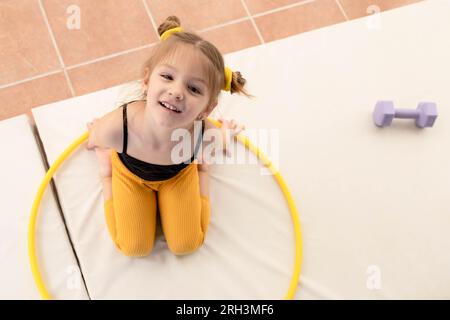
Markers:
{"x": 182, "y": 82}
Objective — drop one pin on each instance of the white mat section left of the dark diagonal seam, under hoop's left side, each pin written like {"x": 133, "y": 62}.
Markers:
{"x": 21, "y": 172}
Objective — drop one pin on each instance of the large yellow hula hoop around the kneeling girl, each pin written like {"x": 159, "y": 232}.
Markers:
{"x": 244, "y": 140}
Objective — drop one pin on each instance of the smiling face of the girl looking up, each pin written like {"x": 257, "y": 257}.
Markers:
{"x": 178, "y": 83}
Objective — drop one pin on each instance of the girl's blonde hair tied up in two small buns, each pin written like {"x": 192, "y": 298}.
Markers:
{"x": 214, "y": 66}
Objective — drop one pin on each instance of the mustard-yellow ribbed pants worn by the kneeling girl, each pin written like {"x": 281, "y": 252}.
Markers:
{"x": 131, "y": 212}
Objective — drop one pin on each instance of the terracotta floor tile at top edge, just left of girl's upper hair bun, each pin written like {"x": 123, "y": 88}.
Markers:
{"x": 106, "y": 27}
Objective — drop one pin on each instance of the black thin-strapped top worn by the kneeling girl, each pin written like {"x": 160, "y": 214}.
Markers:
{"x": 150, "y": 171}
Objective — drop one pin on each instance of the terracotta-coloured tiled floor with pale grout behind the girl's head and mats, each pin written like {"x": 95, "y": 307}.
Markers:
{"x": 43, "y": 58}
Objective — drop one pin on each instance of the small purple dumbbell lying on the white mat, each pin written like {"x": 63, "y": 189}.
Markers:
{"x": 425, "y": 114}
